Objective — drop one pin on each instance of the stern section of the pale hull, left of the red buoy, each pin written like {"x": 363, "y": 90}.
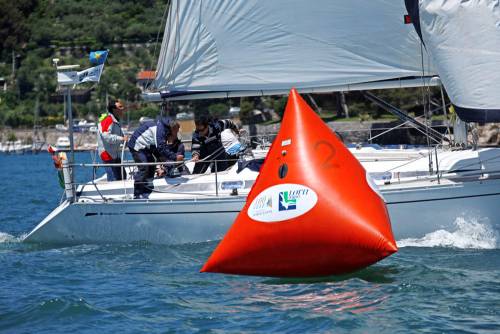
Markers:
{"x": 159, "y": 222}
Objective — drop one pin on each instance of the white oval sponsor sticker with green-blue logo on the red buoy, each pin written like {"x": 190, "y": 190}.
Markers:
{"x": 282, "y": 202}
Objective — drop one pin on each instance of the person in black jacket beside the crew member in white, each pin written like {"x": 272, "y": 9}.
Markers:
{"x": 206, "y": 143}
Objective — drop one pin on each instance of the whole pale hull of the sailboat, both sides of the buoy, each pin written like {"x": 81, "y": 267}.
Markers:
{"x": 414, "y": 211}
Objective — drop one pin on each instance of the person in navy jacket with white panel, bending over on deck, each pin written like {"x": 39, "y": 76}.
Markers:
{"x": 149, "y": 144}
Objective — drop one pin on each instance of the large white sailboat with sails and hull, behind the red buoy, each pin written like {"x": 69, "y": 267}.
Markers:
{"x": 221, "y": 49}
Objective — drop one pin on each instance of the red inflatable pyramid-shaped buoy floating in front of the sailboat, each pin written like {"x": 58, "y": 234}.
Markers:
{"x": 311, "y": 212}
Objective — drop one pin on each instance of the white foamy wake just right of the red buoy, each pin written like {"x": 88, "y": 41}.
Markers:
{"x": 469, "y": 234}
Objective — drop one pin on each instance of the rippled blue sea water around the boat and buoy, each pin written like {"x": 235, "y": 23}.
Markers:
{"x": 448, "y": 281}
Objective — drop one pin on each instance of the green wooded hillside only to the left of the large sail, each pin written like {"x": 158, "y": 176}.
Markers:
{"x": 33, "y": 32}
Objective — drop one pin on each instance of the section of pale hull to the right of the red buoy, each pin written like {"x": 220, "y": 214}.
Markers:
{"x": 418, "y": 211}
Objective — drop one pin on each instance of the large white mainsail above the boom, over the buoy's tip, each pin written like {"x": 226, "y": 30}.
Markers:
{"x": 267, "y": 47}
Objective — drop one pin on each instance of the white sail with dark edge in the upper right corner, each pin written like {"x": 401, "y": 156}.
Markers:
{"x": 463, "y": 39}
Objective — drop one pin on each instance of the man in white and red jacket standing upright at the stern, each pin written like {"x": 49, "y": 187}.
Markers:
{"x": 110, "y": 138}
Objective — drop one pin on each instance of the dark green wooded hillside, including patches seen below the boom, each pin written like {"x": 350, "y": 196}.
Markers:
{"x": 33, "y": 32}
